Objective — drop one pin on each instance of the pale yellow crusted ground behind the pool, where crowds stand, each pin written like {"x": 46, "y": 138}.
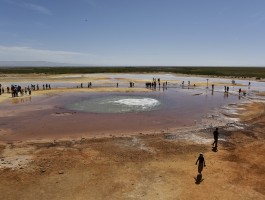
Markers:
{"x": 102, "y": 80}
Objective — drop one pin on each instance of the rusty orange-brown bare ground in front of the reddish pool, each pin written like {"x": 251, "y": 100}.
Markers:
{"x": 142, "y": 166}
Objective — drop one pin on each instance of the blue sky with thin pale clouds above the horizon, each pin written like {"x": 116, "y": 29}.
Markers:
{"x": 134, "y": 32}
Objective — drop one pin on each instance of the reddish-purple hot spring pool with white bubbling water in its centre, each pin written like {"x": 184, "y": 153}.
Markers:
{"x": 81, "y": 113}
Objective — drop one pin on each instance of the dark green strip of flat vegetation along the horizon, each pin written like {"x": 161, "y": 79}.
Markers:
{"x": 237, "y": 72}
